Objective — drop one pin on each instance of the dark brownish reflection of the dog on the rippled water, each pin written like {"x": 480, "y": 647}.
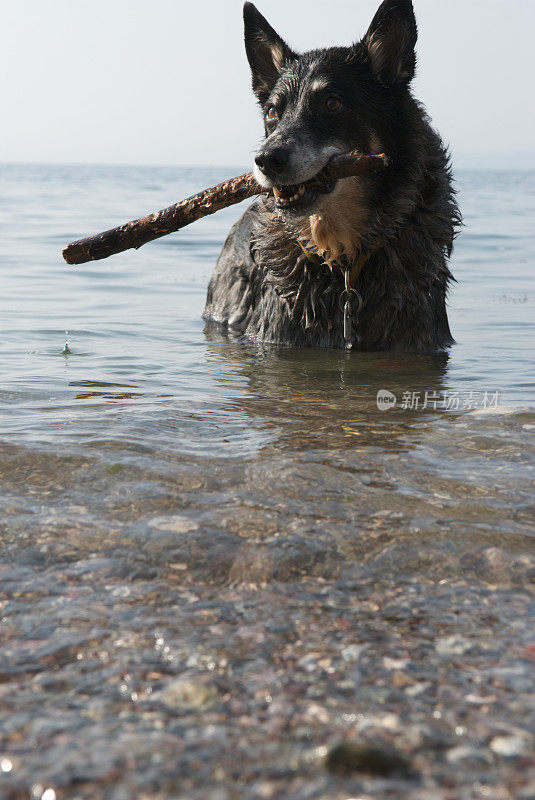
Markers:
{"x": 327, "y": 399}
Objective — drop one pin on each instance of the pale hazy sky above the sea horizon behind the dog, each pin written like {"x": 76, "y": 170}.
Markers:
{"x": 167, "y": 81}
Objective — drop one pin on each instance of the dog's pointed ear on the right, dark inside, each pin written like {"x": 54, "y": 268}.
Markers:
{"x": 390, "y": 42}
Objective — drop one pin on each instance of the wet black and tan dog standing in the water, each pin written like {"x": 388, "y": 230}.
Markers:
{"x": 361, "y": 262}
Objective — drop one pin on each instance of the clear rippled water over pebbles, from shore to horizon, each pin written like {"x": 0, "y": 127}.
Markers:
{"x": 221, "y": 558}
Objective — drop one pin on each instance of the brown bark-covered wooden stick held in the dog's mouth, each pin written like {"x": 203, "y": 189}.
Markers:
{"x": 140, "y": 231}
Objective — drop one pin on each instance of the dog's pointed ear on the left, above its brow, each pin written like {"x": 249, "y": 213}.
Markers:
{"x": 266, "y": 52}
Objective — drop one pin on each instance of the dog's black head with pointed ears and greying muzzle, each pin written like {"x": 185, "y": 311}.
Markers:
{"x": 325, "y": 102}
